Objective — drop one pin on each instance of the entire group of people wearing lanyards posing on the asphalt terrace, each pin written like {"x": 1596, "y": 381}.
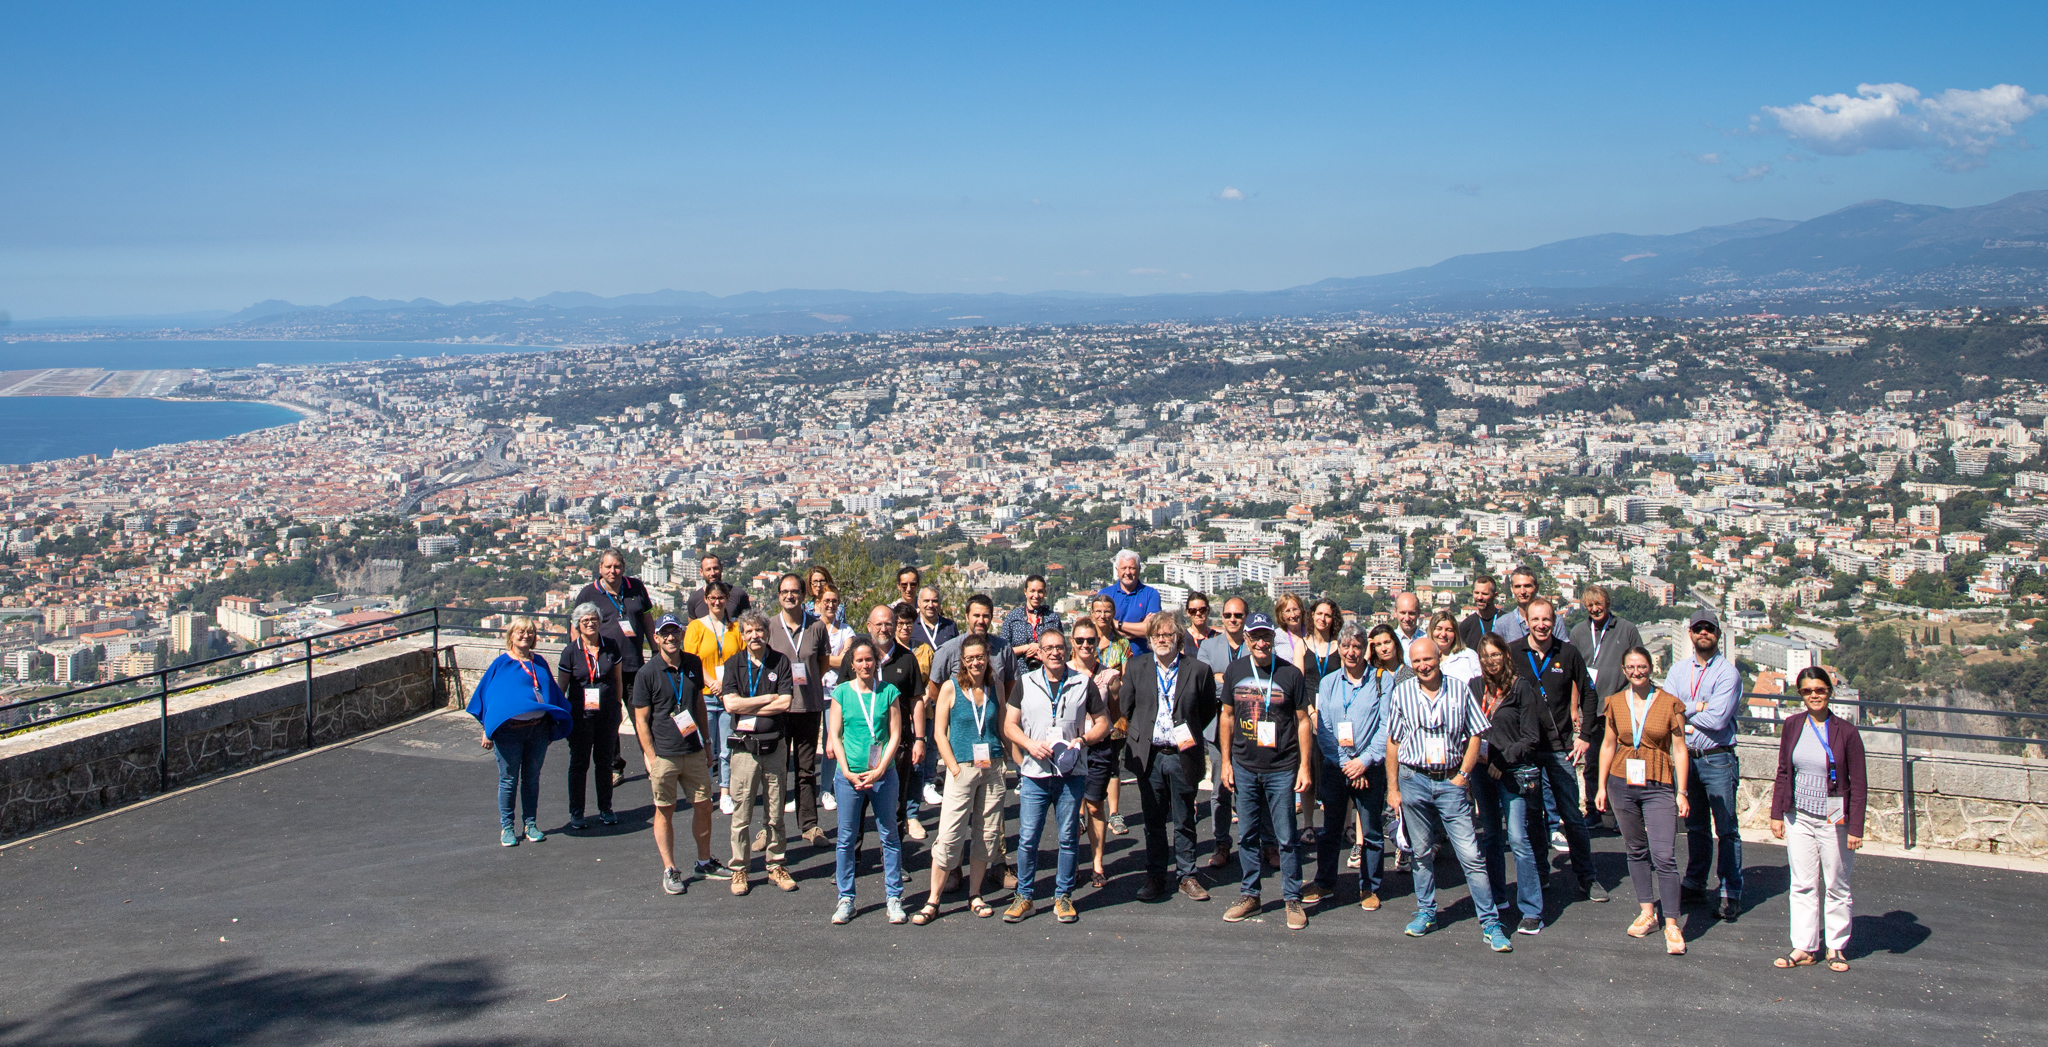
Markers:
{"x": 1478, "y": 735}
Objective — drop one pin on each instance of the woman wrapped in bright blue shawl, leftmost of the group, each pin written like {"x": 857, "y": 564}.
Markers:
{"x": 523, "y": 712}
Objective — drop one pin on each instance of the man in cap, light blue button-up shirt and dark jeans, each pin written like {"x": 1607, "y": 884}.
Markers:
{"x": 1713, "y": 694}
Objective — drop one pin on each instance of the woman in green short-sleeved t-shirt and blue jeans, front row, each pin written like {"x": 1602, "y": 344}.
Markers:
{"x": 863, "y": 739}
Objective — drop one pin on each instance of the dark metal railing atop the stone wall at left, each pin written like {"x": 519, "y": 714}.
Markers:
{"x": 306, "y": 648}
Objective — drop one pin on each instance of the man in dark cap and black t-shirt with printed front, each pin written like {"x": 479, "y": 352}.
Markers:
{"x": 1267, "y": 735}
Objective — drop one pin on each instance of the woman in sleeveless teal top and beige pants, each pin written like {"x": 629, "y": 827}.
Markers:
{"x": 972, "y": 747}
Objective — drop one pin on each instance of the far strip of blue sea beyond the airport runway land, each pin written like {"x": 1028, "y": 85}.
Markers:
{"x": 220, "y": 353}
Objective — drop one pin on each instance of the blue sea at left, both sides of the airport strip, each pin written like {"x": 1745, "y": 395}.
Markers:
{"x": 62, "y": 427}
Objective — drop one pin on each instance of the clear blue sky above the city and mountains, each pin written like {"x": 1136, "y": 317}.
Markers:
{"x": 165, "y": 161}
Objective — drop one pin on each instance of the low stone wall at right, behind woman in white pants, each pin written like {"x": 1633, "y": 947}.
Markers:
{"x": 1969, "y": 802}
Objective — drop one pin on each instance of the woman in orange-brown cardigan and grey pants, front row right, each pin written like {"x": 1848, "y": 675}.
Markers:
{"x": 1641, "y": 759}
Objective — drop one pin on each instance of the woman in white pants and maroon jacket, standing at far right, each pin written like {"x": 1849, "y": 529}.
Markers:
{"x": 1818, "y": 810}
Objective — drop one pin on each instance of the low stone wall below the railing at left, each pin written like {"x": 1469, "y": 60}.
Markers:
{"x": 99, "y": 763}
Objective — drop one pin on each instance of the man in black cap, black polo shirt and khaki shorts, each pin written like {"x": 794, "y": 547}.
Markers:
{"x": 669, "y": 716}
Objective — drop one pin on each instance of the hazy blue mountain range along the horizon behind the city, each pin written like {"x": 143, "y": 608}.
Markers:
{"x": 1863, "y": 255}
